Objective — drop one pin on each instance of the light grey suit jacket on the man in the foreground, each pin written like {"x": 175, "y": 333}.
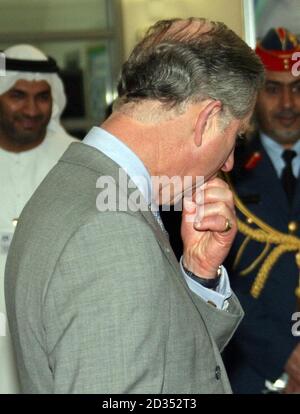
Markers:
{"x": 96, "y": 300}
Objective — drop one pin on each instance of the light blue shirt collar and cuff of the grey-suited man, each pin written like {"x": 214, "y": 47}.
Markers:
{"x": 122, "y": 155}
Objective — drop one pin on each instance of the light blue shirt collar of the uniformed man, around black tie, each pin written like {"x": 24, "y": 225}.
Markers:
{"x": 275, "y": 150}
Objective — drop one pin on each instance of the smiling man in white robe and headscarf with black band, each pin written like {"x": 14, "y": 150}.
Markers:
{"x": 32, "y": 140}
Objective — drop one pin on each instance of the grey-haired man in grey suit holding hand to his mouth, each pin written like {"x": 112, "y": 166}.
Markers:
{"x": 97, "y": 302}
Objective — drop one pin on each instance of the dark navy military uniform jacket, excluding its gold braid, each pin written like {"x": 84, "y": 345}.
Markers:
{"x": 264, "y": 340}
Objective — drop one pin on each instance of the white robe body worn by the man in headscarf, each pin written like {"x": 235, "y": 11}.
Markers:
{"x": 20, "y": 175}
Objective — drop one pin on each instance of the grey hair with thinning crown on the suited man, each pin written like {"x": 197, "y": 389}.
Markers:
{"x": 176, "y": 64}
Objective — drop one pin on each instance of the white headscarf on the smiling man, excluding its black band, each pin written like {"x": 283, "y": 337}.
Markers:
{"x": 28, "y": 52}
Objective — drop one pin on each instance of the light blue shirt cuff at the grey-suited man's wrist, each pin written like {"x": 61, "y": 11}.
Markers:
{"x": 218, "y": 297}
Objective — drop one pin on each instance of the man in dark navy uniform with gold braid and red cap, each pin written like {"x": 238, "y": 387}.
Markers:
{"x": 265, "y": 356}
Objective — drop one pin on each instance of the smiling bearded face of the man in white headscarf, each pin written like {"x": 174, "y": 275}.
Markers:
{"x": 25, "y": 111}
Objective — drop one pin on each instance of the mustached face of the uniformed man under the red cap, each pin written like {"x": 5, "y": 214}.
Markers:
{"x": 278, "y": 107}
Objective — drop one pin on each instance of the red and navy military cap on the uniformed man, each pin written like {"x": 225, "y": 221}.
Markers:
{"x": 277, "y": 48}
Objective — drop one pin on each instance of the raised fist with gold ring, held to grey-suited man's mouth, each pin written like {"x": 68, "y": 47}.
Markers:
{"x": 205, "y": 241}
